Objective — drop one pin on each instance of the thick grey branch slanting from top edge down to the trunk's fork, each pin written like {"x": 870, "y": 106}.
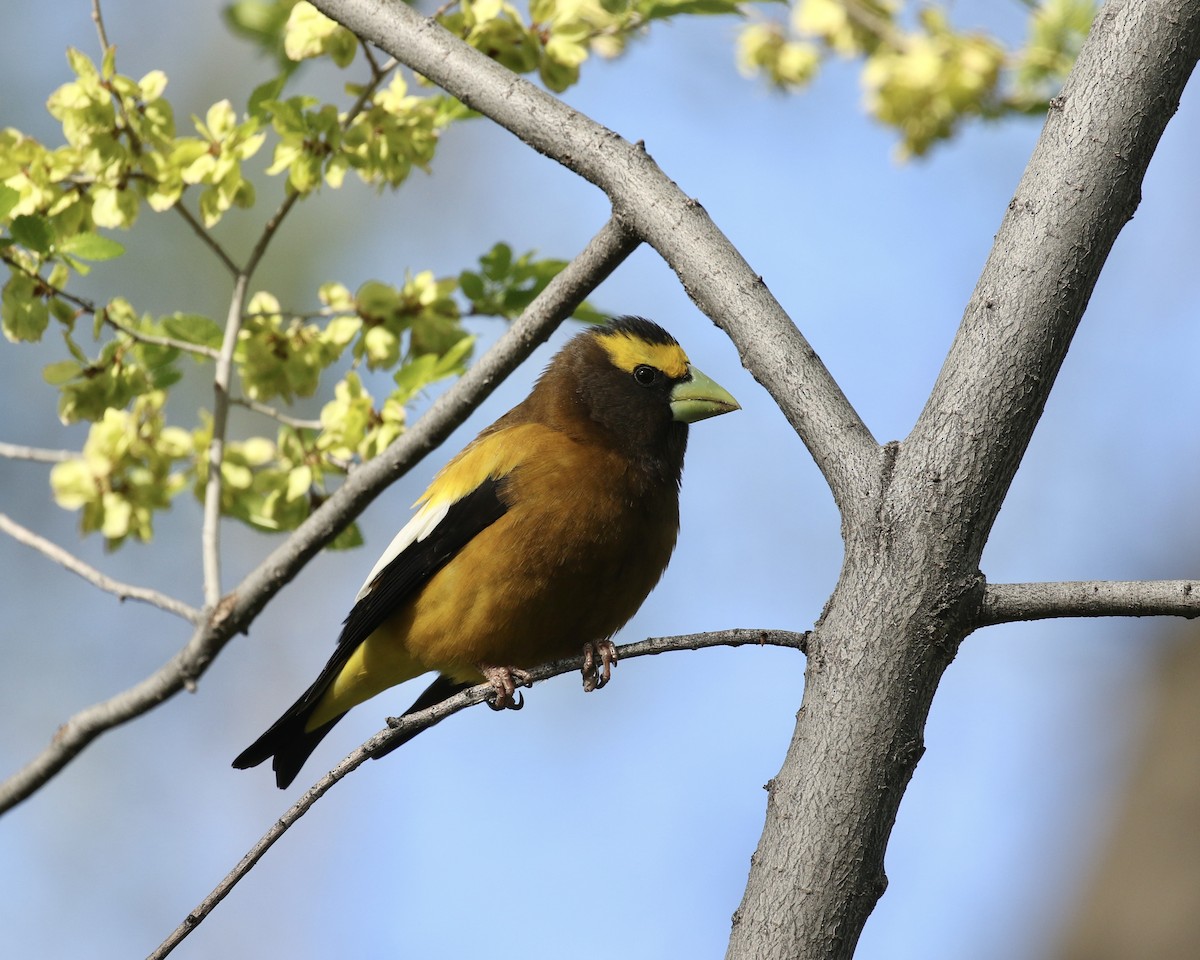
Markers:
{"x": 711, "y": 269}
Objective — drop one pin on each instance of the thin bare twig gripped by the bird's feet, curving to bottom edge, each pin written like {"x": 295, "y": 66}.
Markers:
{"x": 406, "y": 728}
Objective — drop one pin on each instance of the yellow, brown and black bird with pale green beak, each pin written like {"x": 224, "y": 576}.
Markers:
{"x": 543, "y": 537}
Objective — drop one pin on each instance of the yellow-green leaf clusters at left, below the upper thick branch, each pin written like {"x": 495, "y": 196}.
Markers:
{"x": 122, "y": 155}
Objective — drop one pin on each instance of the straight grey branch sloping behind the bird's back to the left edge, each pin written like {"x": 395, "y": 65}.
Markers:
{"x": 238, "y": 610}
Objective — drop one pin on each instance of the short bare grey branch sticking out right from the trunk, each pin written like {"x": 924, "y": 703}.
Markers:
{"x": 1007, "y": 603}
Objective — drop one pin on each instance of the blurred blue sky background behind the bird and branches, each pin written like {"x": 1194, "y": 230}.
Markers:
{"x": 621, "y": 825}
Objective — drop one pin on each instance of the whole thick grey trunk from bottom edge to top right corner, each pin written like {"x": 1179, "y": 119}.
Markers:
{"x": 910, "y": 586}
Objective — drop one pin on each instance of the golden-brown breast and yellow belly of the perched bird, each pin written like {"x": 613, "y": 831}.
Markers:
{"x": 569, "y": 563}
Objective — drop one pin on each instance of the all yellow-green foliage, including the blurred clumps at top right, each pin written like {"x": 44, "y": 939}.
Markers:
{"x": 122, "y": 155}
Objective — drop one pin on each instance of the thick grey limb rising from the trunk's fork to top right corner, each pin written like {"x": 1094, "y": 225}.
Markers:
{"x": 1081, "y": 188}
